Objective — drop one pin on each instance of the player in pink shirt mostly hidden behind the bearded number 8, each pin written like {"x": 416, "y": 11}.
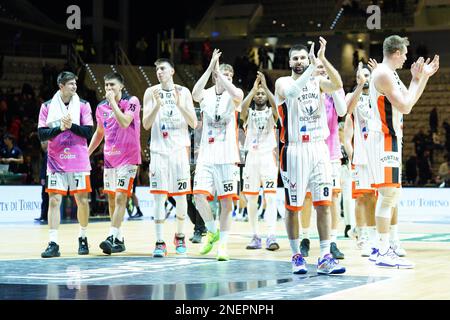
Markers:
{"x": 335, "y": 106}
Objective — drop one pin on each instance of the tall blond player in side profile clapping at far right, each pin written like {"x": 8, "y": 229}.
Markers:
{"x": 390, "y": 99}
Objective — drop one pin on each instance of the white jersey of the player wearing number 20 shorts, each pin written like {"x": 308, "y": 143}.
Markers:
{"x": 170, "y": 129}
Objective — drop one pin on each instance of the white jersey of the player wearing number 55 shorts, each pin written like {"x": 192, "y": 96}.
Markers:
{"x": 219, "y": 144}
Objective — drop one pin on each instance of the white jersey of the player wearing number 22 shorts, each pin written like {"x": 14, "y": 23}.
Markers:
{"x": 260, "y": 131}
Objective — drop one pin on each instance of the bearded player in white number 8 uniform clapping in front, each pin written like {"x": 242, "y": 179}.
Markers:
{"x": 305, "y": 158}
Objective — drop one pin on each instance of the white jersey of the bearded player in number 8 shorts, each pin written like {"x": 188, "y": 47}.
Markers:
{"x": 304, "y": 119}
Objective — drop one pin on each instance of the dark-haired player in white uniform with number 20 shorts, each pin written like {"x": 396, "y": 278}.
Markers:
{"x": 168, "y": 111}
